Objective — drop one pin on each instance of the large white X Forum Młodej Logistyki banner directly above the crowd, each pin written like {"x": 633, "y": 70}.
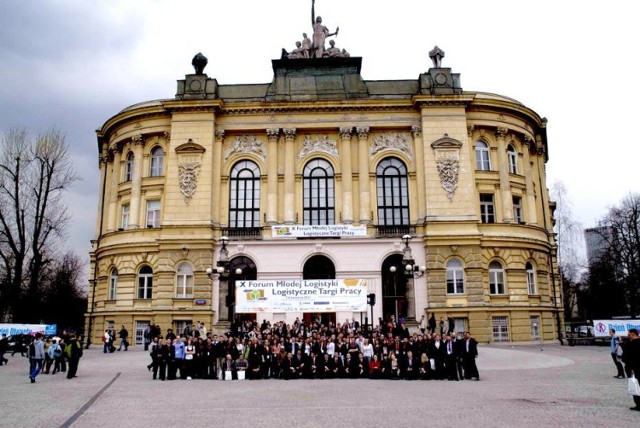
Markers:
{"x": 312, "y": 295}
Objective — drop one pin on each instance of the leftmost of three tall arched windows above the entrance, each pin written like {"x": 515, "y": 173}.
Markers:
{"x": 244, "y": 195}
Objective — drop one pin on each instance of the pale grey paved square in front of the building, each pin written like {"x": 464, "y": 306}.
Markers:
{"x": 521, "y": 386}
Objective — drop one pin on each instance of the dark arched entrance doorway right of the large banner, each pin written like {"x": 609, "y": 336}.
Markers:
{"x": 394, "y": 289}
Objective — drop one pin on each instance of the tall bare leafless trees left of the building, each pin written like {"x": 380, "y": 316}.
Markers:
{"x": 34, "y": 174}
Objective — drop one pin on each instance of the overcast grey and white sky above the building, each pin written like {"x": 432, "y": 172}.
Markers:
{"x": 74, "y": 64}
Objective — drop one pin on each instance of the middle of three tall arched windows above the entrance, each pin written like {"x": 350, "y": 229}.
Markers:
{"x": 318, "y": 193}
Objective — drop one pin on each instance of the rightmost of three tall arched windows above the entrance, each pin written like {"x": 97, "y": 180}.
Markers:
{"x": 393, "y": 198}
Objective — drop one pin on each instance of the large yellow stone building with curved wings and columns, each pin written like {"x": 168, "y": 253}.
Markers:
{"x": 462, "y": 173}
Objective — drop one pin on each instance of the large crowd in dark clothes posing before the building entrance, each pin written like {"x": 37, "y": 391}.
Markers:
{"x": 312, "y": 351}
